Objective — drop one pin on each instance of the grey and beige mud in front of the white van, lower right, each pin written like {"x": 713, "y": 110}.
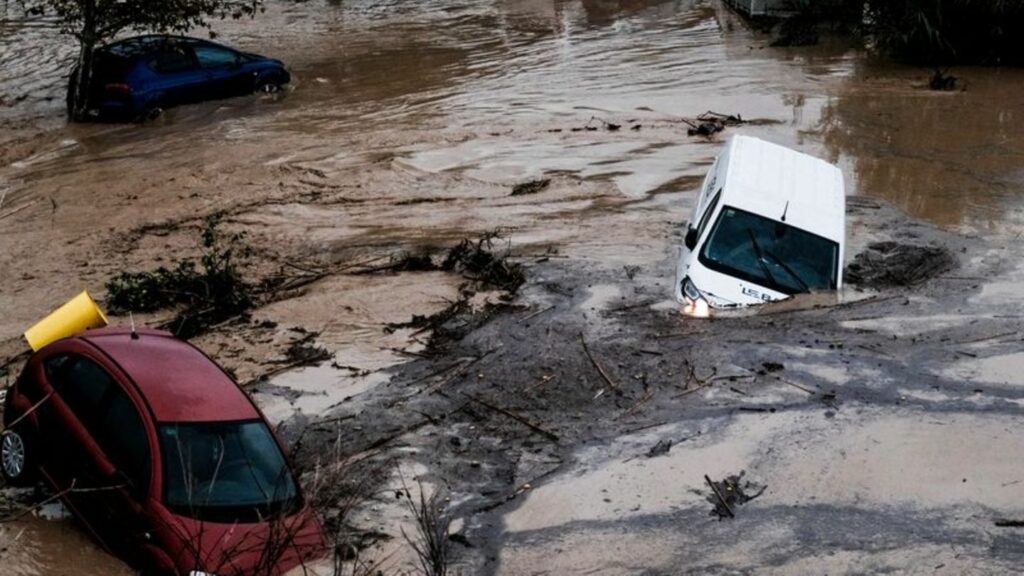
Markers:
{"x": 880, "y": 429}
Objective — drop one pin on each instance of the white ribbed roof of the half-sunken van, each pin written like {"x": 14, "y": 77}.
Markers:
{"x": 763, "y": 178}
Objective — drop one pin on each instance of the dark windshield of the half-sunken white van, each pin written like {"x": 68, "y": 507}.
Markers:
{"x": 771, "y": 254}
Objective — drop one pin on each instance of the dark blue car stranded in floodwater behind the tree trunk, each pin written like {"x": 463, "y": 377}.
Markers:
{"x": 139, "y": 78}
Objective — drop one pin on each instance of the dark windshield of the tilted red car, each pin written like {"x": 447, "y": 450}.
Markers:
{"x": 226, "y": 472}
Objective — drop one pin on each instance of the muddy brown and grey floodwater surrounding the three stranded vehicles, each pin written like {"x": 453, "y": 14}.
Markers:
{"x": 406, "y": 128}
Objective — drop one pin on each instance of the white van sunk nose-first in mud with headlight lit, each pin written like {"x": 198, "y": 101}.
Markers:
{"x": 770, "y": 223}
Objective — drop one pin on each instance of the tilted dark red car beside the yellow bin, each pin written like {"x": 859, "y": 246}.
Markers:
{"x": 160, "y": 455}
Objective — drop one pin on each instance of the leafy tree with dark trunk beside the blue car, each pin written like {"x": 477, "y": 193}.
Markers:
{"x": 95, "y": 23}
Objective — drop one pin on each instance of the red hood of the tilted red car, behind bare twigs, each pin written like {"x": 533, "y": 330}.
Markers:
{"x": 267, "y": 549}
